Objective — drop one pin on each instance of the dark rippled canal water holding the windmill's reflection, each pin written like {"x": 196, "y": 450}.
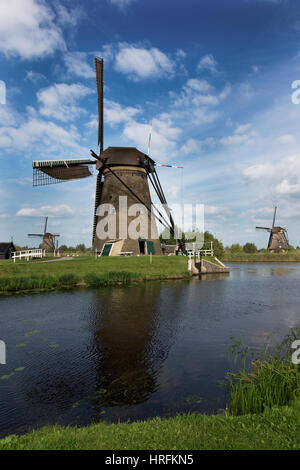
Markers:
{"x": 154, "y": 349}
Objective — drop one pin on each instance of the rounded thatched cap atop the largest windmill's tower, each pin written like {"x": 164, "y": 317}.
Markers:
{"x": 128, "y": 156}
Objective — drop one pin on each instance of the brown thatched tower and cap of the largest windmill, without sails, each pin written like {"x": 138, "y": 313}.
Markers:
{"x": 126, "y": 164}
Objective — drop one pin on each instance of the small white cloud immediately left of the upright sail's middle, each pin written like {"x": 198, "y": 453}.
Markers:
{"x": 59, "y": 101}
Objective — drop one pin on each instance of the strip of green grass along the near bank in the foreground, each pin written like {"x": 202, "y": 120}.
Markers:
{"x": 276, "y": 428}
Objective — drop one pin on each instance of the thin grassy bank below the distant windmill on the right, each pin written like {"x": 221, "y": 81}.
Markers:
{"x": 290, "y": 257}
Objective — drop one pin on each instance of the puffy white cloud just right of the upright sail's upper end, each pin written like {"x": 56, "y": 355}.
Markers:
{"x": 140, "y": 63}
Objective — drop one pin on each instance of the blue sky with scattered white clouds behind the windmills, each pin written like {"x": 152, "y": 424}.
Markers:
{"x": 221, "y": 81}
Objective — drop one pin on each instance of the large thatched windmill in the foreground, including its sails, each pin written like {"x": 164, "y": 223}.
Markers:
{"x": 123, "y": 175}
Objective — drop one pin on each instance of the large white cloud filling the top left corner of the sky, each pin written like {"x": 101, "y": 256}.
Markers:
{"x": 28, "y": 29}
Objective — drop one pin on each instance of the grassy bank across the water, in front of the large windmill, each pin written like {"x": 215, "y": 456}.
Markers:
{"x": 88, "y": 271}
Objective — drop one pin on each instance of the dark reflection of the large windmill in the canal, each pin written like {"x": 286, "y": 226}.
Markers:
{"x": 131, "y": 339}
